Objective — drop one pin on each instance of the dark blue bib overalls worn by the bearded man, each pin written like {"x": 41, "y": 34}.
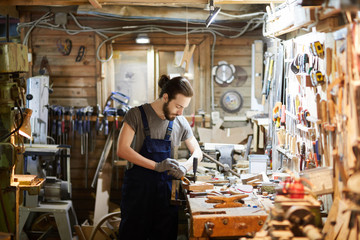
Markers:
{"x": 146, "y": 212}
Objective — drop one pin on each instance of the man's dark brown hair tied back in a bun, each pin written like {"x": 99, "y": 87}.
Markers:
{"x": 175, "y": 86}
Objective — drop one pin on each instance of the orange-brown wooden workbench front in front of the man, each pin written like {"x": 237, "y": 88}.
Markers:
{"x": 208, "y": 222}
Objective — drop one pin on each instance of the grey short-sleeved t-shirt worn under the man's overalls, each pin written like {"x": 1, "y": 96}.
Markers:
{"x": 181, "y": 128}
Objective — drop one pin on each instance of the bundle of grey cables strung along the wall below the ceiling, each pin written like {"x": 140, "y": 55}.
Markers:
{"x": 215, "y": 29}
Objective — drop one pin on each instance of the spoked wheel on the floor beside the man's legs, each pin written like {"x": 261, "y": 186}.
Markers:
{"x": 112, "y": 222}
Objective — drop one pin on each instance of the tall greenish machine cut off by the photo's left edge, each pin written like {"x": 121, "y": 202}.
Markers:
{"x": 13, "y": 63}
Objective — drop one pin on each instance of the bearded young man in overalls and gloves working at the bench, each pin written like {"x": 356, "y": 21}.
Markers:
{"x": 147, "y": 139}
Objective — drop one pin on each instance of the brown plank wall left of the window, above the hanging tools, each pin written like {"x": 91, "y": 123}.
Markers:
{"x": 74, "y": 83}
